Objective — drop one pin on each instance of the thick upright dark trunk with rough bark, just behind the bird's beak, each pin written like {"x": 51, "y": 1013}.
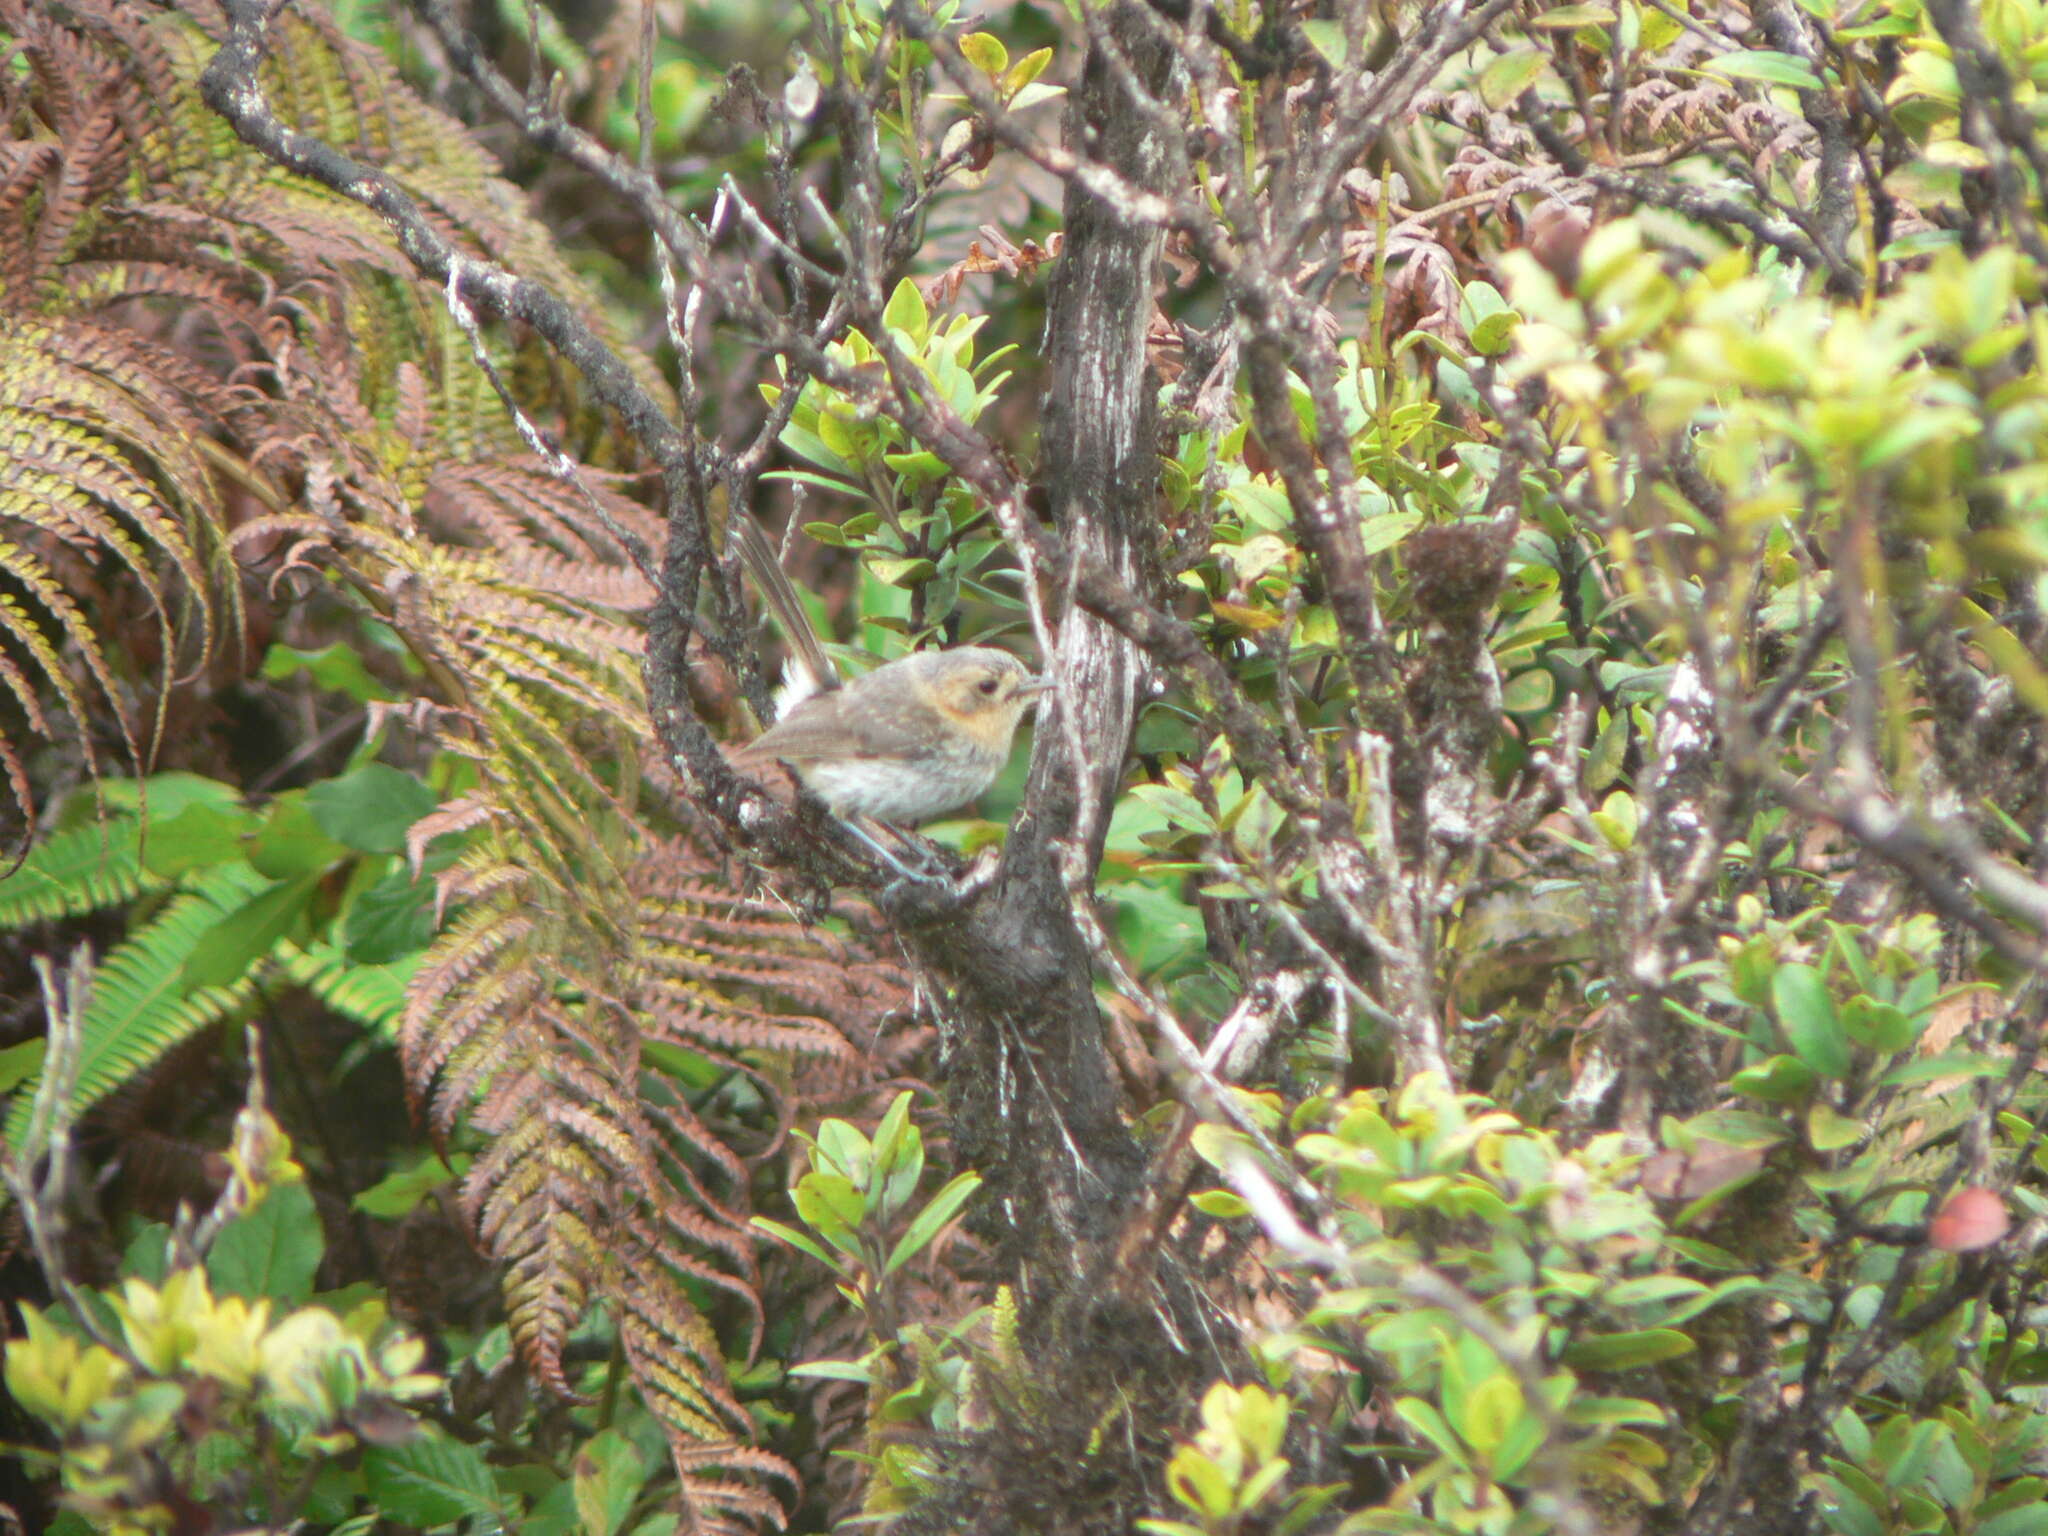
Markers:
{"x": 1029, "y": 1080}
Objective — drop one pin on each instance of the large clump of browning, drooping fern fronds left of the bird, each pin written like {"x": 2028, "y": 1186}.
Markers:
{"x": 341, "y": 402}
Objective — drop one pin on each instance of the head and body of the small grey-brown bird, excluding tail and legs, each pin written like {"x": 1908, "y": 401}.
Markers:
{"x": 908, "y": 742}
